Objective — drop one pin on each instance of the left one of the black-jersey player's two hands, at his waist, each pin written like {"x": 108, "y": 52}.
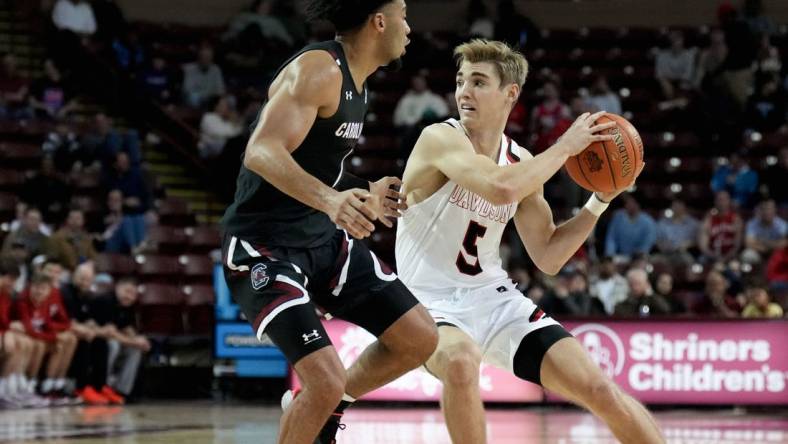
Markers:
{"x": 351, "y": 210}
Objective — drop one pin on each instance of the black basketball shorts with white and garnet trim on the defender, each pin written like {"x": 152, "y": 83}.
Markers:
{"x": 280, "y": 290}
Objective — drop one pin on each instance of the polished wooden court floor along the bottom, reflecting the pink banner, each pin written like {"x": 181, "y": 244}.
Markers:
{"x": 210, "y": 423}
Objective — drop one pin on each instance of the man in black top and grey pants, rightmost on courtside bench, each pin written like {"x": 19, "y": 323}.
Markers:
{"x": 115, "y": 312}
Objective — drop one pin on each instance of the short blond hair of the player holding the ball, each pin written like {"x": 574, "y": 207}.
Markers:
{"x": 509, "y": 63}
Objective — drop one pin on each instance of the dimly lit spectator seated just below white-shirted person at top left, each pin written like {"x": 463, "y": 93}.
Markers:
{"x": 51, "y": 96}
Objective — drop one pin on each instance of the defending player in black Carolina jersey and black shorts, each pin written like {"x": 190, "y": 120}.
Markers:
{"x": 291, "y": 237}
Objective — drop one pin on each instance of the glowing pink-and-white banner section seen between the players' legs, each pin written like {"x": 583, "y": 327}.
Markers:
{"x": 418, "y": 385}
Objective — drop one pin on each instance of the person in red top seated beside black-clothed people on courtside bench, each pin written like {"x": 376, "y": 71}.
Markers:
{"x": 41, "y": 312}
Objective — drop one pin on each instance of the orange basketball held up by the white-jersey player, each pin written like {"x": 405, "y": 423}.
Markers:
{"x": 609, "y": 165}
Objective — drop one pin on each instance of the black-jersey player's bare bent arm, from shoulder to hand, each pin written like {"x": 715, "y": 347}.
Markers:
{"x": 309, "y": 86}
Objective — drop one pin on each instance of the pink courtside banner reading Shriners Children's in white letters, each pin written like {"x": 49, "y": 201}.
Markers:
{"x": 724, "y": 362}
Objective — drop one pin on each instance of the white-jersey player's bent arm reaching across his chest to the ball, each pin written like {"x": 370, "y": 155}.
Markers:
{"x": 449, "y": 151}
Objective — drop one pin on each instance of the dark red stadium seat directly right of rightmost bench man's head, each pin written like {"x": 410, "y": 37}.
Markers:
{"x": 161, "y": 309}
